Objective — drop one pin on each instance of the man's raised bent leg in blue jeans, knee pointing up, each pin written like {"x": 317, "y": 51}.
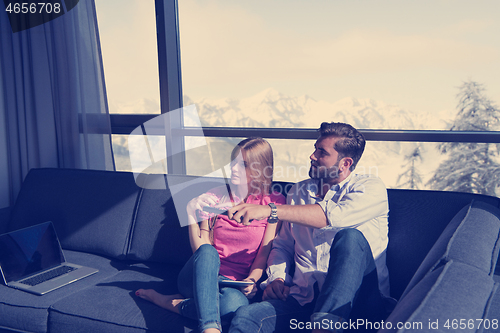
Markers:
{"x": 351, "y": 269}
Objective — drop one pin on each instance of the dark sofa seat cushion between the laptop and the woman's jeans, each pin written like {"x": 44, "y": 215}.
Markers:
{"x": 111, "y": 306}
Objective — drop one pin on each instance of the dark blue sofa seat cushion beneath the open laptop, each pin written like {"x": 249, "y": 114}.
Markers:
{"x": 16, "y": 306}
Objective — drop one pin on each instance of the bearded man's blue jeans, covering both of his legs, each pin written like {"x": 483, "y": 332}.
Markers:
{"x": 351, "y": 273}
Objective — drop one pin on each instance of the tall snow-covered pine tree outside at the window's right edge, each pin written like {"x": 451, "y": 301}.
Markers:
{"x": 470, "y": 167}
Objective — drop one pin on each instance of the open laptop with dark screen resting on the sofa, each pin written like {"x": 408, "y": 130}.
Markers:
{"x": 31, "y": 259}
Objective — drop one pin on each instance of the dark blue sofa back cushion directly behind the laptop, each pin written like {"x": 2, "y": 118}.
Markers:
{"x": 92, "y": 211}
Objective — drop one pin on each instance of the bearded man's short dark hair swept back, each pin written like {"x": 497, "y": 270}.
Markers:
{"x": 351, "y": 143}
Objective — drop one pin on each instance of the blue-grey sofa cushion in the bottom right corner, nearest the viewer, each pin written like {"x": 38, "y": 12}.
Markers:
{"x": 452, "y": 291}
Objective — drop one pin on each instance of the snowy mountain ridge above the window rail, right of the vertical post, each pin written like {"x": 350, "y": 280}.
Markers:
{"x": 270, "y": 108}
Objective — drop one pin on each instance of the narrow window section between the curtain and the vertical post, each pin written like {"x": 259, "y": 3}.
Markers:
{"x": 127, "y": 30}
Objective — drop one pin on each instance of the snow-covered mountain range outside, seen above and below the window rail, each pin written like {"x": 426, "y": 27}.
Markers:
{"x": 273, "y": 109}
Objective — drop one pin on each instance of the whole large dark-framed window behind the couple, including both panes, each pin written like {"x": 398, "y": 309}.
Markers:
{"x": 396, "y": 70}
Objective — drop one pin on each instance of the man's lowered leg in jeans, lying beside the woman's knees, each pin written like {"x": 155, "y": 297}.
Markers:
{"x": 270, "y": 316}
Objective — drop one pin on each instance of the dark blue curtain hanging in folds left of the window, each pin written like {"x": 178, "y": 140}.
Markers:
{"x": 53, "y": 105}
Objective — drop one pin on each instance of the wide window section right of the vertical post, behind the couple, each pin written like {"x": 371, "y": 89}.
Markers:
{"x": 377, "y": 65}
